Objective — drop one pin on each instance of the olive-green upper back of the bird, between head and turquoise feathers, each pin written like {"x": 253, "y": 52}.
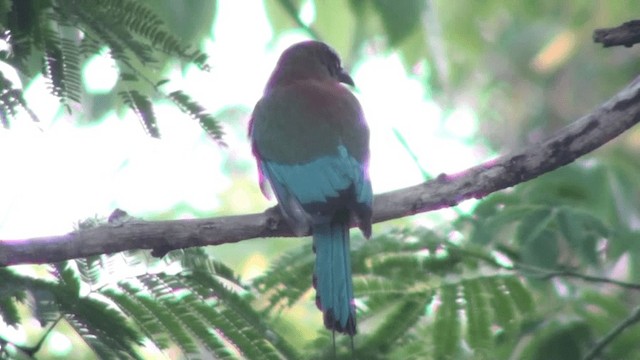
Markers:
{"x": 306, "y": 120}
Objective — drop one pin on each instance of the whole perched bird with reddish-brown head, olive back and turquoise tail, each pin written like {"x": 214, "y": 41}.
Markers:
{"x": 311, "y": 143}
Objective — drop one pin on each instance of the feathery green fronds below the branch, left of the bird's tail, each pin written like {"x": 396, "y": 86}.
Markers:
{"x": 202, "y": 310}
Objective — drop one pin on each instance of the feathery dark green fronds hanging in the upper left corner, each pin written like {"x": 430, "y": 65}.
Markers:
{"x": 62, "y": 34}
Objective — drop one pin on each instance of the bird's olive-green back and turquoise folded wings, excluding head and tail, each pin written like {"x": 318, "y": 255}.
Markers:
{"x": 312, "y": 145}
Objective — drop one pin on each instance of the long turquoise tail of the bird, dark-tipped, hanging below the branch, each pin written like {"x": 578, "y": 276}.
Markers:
{"x": 332, "y": 276}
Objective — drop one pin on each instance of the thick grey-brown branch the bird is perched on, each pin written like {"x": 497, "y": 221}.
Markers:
{"x": 579, "y": 138}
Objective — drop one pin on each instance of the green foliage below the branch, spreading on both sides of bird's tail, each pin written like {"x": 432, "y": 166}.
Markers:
{"x": 526, "y": 275}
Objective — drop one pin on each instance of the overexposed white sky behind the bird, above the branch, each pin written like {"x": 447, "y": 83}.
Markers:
{"x": 57, "y": 172}
